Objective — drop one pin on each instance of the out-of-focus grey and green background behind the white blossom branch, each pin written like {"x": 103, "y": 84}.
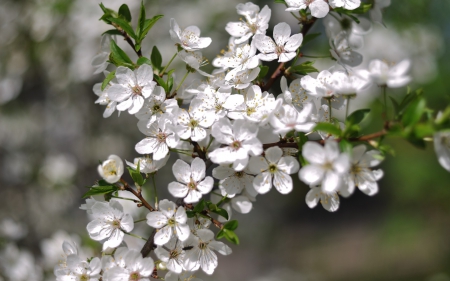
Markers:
{"x": 52, "y": 136}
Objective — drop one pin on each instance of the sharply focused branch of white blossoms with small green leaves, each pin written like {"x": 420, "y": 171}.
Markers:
{"x": 234, "y": 126}
